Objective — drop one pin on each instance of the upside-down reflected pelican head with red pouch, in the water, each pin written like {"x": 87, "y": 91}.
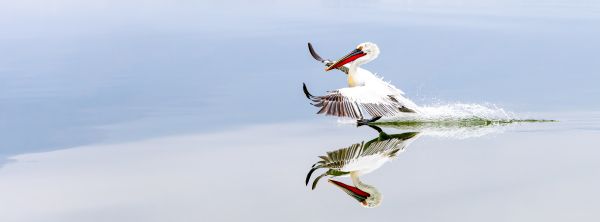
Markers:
{"x": 367, "y": 195}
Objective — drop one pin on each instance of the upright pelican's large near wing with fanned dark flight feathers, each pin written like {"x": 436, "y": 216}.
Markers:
{"x": 348, "y": 102}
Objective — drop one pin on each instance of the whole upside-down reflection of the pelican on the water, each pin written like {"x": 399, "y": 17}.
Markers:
{"x": 360, "y": 159}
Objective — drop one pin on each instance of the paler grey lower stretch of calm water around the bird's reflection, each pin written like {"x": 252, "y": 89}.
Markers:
{"x": 535, "y": 171}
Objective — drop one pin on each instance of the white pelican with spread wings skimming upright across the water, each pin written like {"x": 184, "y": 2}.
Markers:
{"x": 366, "y": 92}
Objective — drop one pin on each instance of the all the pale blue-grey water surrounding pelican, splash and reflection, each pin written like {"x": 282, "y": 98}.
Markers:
{"x": 94, "y": 99}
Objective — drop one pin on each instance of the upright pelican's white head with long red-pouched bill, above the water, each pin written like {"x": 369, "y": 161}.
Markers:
{"x": 364, "y": 53}
